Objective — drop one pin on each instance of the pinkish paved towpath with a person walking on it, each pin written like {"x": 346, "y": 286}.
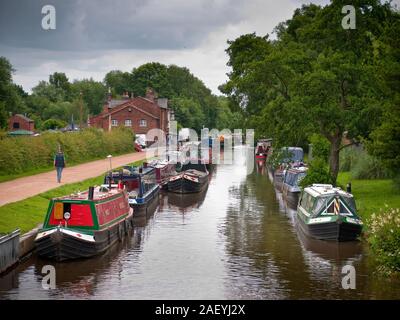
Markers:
{"x": 22, "y": 188}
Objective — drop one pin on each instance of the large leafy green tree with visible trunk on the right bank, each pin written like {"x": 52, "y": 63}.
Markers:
{"x": 316, "y": 77}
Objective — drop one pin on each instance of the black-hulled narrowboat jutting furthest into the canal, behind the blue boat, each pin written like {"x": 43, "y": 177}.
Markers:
{"x": 191, "y": 178}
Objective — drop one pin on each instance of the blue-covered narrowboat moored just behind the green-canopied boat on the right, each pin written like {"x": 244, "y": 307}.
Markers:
{"x": 290, "y": 185}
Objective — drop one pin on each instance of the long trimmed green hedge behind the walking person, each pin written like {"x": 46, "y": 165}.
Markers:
{"x": 20, "y": 154}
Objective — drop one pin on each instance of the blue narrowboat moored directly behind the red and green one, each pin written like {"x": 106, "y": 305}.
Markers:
{"x": 141, "y": 185}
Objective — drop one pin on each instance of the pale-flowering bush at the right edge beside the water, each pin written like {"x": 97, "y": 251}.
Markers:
{"x": 384, "y": 238}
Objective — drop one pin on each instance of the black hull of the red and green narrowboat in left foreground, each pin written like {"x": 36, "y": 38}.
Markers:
{"x": 63, "y": 244}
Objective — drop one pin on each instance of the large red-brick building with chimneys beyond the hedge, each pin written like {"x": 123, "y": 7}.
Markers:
{"x": 139, "y": 113}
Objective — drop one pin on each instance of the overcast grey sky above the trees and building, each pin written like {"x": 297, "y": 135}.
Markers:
{"x": 93, "y": 37}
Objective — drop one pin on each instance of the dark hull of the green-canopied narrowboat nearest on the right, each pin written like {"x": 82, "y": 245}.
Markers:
{"x": 335, "y": 230}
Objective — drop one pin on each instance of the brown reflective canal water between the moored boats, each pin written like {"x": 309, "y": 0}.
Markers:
{"x": 236, "y": 240}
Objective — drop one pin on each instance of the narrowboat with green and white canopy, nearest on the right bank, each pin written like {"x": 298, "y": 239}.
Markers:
{"x": 328, "y": 213}
